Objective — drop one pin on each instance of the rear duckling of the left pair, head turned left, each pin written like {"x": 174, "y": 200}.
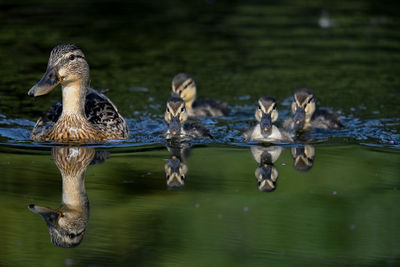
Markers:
{"x": 183, "y": 84}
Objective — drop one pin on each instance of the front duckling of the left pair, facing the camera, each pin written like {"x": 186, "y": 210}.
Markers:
{"x": 176, "y": 116}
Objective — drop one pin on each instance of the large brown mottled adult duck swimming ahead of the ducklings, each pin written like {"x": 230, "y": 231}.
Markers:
{"x": 85, "y": 115}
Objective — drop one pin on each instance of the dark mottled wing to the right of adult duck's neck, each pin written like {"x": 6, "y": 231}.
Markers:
{"x": 100, "y": 111}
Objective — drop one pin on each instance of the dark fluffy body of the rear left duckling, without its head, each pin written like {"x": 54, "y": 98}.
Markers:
{"x": 210, "y": 107}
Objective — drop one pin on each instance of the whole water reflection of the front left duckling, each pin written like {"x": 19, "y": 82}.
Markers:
{"x": 175, "y": 167}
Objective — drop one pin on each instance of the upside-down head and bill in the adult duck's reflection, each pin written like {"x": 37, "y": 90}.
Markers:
{"x": 65, "y": 228}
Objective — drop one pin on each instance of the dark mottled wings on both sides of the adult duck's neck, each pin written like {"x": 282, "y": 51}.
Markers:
{"x": 100, "y": 113}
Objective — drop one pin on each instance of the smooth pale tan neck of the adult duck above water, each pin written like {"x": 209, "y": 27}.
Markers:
{"x": 74, "y": 96}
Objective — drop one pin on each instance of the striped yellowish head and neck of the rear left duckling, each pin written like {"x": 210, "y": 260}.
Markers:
{"x": 183, "y": 84}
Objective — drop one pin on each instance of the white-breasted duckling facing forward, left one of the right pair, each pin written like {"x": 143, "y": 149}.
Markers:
{"x": 265, "y": 131}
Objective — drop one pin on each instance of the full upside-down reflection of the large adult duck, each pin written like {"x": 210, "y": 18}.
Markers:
{"x": 67, "y": 224}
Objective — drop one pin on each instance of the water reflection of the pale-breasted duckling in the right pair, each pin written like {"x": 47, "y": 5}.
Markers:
{"x": 266, "y": 173}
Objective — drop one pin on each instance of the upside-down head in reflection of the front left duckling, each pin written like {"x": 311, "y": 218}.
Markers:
{"x": 175, "y": 172}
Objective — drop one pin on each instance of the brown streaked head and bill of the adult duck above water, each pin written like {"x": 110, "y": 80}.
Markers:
{"x": 67, "y": 65}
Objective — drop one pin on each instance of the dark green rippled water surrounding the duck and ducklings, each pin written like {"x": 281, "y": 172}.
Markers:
{"x": 335, "y": 199}
